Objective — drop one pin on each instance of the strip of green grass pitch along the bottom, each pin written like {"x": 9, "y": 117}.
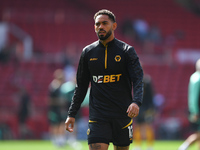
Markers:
{"x": 47, "y": 145}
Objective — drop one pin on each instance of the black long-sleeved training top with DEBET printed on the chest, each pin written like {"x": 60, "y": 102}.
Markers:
{"x": 113, "y": 70}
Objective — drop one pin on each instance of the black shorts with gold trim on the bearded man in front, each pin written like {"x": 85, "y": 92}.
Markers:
{"x": 117, "y": 131}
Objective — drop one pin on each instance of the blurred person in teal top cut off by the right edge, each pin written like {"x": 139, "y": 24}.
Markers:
{"x": 194, "y": 108}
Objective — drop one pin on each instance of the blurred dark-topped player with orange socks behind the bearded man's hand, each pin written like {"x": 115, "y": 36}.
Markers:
{"x": 143, "y": 128}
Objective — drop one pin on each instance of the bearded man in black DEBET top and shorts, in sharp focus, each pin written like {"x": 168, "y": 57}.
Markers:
{"x": 113, "y": 69}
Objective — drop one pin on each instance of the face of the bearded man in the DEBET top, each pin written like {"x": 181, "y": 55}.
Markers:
{"x": 103, "y": 27}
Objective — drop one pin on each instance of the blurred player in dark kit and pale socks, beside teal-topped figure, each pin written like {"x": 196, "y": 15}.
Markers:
{"x": 56, "y": 106}
